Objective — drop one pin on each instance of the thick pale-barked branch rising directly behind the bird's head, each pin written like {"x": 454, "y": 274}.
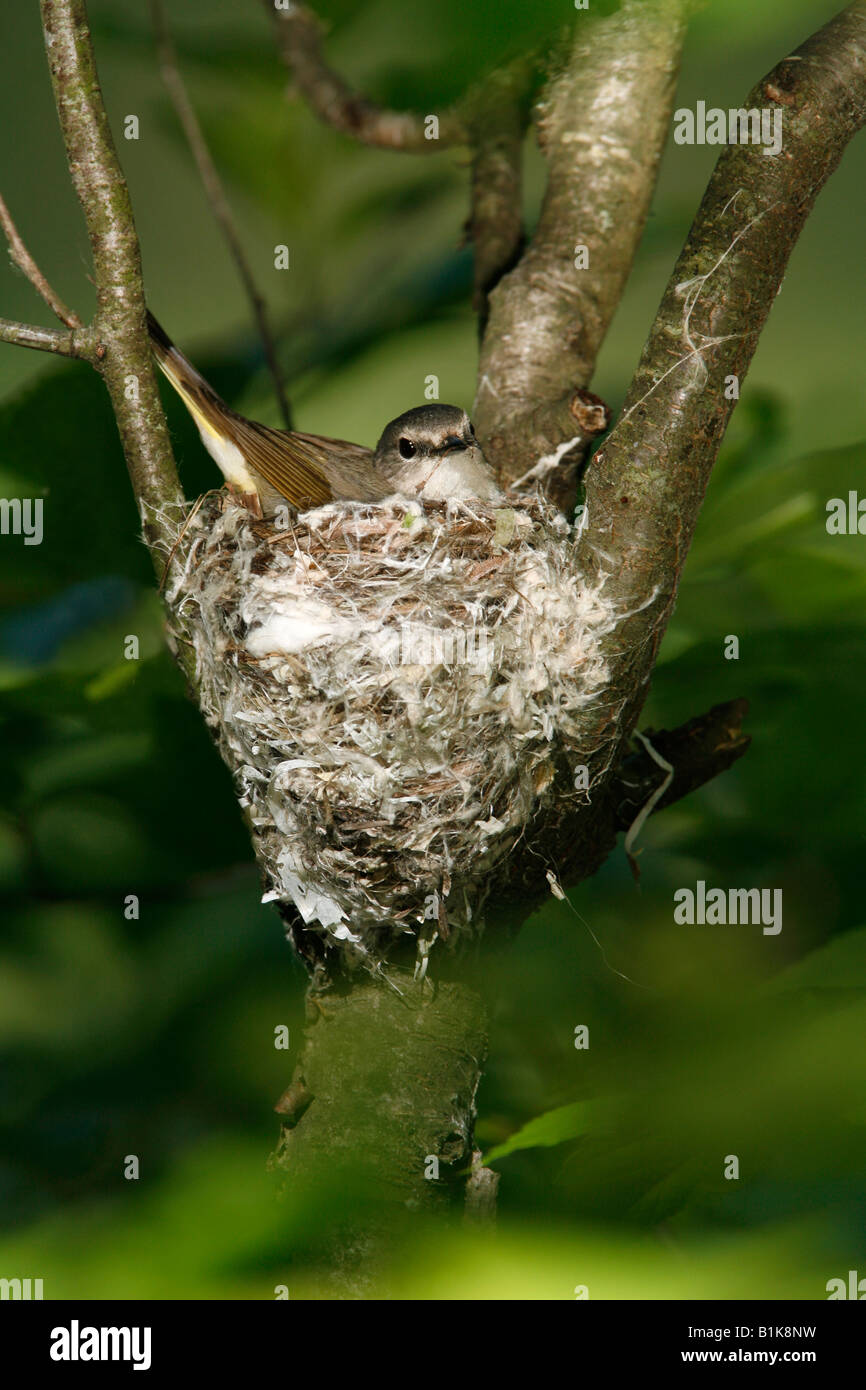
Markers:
{"x": 603, "y": 122}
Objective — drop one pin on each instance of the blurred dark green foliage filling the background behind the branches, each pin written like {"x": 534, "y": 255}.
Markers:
{"x": 155, "y": 1035}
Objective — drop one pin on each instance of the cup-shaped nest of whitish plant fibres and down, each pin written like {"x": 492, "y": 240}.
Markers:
{"x": 395, "y": 690}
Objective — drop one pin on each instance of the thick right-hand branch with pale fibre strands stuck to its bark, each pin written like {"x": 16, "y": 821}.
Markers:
{"x": 646, "y": 486}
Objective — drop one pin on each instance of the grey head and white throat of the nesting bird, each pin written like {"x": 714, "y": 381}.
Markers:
{"x": 433, "y": 452}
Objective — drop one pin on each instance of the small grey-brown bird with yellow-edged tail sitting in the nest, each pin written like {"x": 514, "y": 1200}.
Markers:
{"x": 427, "y": 452}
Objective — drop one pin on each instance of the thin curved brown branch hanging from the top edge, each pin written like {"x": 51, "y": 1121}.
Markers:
{"x": 334, "y": 102}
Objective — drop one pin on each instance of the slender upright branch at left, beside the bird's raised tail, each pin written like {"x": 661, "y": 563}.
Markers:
{"x": 120, "y": 325}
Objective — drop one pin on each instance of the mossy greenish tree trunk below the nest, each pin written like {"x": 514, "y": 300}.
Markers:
{"x": 382, "y": 1111}
